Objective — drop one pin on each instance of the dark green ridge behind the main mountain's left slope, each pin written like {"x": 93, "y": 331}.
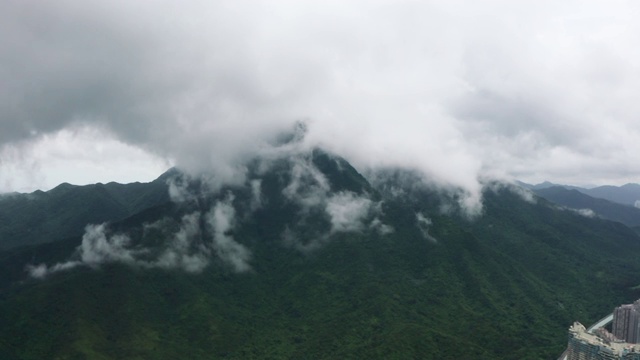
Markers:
{"x": 64, "y": 211}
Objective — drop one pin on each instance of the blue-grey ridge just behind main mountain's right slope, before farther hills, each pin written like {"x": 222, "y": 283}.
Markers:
{"x": 606, "y": 209}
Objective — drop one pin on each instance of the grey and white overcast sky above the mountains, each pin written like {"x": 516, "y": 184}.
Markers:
{"x": 121, "y": 90}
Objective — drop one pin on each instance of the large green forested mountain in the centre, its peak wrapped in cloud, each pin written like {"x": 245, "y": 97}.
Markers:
{"x": 309, "y": 259}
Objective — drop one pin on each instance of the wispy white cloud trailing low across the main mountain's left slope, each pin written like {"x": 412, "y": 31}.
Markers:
{"x": 189, "y": 248}
